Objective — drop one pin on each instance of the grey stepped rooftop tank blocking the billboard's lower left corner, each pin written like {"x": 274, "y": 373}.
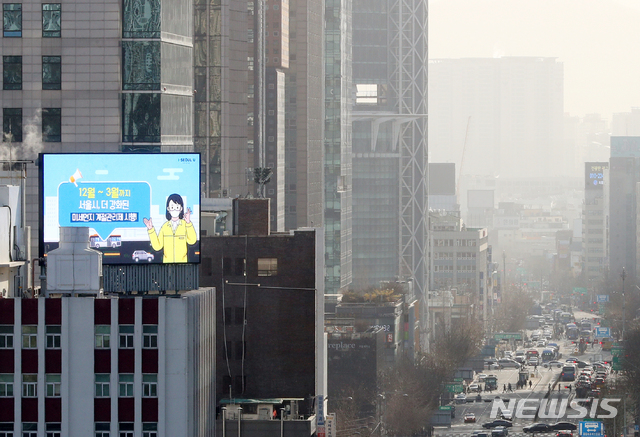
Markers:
{"x": 73, "y": 267}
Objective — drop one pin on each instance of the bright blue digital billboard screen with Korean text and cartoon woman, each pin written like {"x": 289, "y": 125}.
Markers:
{"x": 140, "y": 208}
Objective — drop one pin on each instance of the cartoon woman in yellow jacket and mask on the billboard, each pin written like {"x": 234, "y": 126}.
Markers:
{"x": 175, "y": 234}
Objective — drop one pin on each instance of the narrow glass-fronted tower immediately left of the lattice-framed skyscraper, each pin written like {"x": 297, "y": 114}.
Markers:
{"x": 337, "y": 156}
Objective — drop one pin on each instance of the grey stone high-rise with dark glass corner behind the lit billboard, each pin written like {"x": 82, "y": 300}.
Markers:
{"x": 109, "y": 77}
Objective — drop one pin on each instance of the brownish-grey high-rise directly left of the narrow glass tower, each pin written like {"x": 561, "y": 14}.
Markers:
{"x": 304, "y": 116}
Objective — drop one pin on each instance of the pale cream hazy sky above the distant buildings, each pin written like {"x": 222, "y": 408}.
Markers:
{"x": 598, "y": 41}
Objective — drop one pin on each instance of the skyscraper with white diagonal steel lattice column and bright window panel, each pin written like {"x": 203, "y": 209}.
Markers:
{"x": 390, "y": 142}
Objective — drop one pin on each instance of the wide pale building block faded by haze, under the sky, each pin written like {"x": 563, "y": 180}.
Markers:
{"x": 512, "y": 108}
